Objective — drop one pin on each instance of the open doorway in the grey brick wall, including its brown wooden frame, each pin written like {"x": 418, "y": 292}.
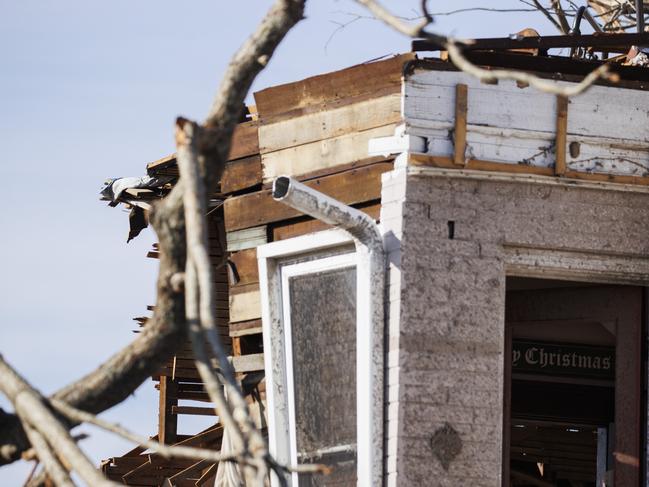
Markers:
{"x": 572, "y": 384}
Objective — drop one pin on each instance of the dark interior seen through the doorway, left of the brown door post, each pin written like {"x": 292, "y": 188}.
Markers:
{"x": 560, "y": 385}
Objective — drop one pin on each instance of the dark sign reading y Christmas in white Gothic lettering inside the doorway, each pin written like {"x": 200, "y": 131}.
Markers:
{"x": 563, "y": 359}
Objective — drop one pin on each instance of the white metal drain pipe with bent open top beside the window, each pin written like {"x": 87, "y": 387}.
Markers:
{"x": 370, "y": 292}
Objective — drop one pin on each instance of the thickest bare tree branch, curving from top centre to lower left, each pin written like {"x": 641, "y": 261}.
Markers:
{"x": 118, "y": 377}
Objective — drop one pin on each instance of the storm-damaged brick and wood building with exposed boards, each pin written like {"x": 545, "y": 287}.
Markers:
{"x": 431, "y": 280}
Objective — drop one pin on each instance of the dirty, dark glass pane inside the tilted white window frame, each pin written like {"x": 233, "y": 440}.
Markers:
{"x": 323, "y": 325}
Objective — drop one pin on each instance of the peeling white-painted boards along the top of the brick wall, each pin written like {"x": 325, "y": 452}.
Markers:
{"x": 510, "y": 124}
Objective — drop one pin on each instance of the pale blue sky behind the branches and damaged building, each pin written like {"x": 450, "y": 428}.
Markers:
{"x": 90, "y": 90}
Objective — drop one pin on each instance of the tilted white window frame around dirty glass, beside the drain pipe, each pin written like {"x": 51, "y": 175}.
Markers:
{"x": 278, "y": 262}
